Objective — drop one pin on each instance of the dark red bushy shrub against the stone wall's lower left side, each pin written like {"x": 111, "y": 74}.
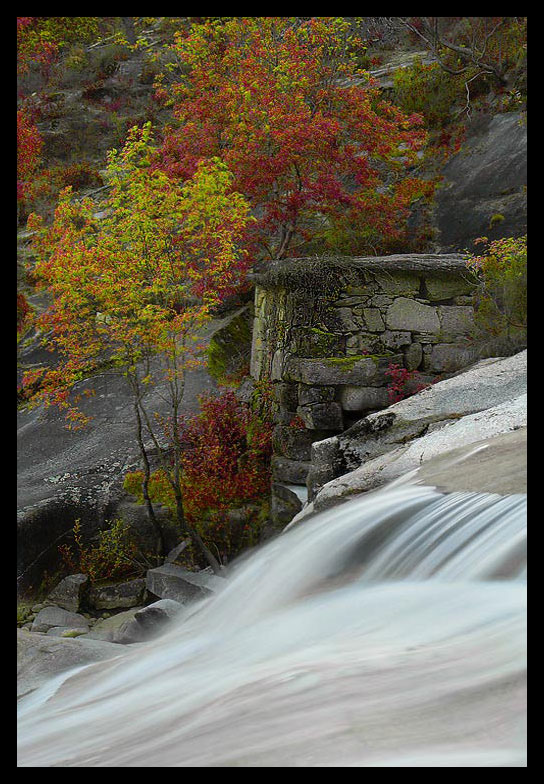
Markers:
{"x": 225, "y": 466}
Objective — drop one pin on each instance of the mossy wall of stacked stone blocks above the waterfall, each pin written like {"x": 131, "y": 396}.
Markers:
{"x": 327, "y": 330}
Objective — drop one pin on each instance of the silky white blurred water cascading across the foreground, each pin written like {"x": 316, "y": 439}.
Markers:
{"x": 387, "y": 632}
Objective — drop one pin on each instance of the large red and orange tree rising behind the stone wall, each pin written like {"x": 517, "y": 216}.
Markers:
{"x": 323, "y": 160}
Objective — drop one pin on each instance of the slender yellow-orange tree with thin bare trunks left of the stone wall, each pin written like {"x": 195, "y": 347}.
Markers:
{"x": 131, "y": 292}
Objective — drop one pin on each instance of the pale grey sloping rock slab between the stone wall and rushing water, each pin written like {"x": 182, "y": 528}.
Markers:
{"x": 473, "y": 408}
